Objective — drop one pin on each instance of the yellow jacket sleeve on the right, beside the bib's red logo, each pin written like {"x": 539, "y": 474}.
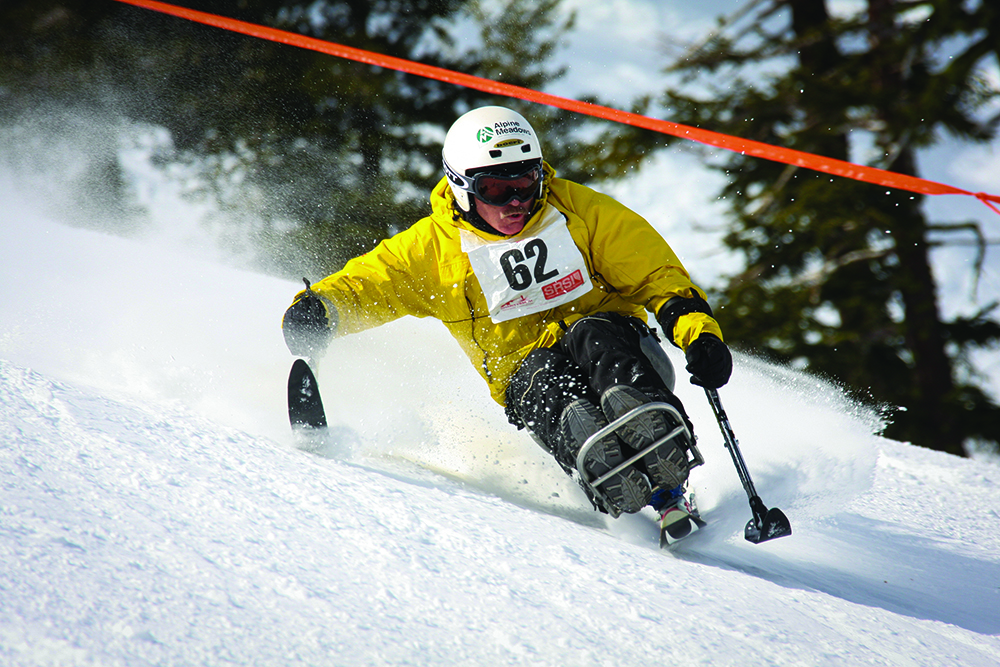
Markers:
{"x": 636, "y": 261}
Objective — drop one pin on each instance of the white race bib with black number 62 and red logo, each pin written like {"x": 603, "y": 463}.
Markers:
{"x": 528, "y": 274}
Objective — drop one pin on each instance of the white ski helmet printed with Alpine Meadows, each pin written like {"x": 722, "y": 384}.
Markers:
{"x": 488, "y": 140}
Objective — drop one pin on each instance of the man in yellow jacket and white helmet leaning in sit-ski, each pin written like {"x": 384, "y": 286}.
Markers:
{"x": 545, "y": 284}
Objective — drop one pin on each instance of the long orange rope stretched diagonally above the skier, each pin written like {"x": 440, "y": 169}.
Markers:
{"x": 716, "y": 139}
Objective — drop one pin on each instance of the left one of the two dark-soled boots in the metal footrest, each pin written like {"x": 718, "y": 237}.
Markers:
{"x": 616, "y": 486}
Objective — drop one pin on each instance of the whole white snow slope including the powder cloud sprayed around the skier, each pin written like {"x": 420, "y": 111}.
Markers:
{"x": 156, "y": 510}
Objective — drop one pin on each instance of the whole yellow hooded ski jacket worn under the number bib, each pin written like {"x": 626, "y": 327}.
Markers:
{"x": 423, "y": 271}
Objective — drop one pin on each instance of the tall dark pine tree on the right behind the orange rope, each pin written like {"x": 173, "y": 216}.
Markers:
{"x": 838, "y": 273}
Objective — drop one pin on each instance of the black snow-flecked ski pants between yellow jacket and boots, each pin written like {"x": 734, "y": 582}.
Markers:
{"x": 597, "y": 352}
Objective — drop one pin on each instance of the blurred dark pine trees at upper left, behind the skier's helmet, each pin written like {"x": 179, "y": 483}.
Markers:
{"x": 348, "y": 151}
